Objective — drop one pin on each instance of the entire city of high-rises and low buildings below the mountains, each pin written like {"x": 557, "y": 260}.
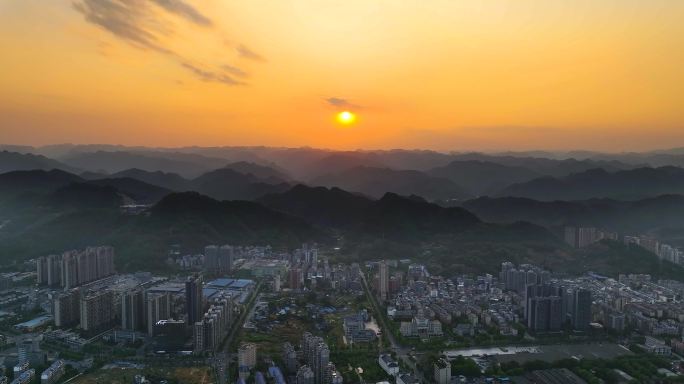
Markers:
{"x": 253, "y": 314}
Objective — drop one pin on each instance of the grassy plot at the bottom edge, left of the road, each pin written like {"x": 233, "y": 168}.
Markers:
{"x": 185, "y": 375}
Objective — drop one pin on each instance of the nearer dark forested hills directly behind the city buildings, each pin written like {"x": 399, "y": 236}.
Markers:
{"x": 69, "y": 212}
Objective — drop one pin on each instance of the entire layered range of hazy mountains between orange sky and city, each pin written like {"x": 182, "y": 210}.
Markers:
{"x": 452, "y": 211}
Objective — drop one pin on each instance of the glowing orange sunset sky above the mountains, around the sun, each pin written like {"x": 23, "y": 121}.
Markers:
{"x": 441, "y": 74}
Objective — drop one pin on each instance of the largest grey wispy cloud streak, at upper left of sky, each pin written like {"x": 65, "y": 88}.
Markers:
{"x": 145, "y": 25}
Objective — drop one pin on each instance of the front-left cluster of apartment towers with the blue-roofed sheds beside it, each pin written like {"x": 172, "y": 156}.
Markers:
{"x": 176, "y": 314}
